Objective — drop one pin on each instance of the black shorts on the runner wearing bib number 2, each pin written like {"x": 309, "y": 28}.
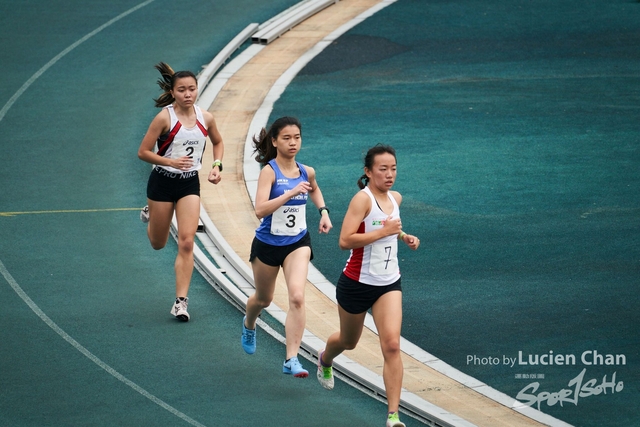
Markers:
{"x": 164, "y": 186}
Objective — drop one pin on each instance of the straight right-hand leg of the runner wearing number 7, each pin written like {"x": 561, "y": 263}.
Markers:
{"x": 387, "y": 314}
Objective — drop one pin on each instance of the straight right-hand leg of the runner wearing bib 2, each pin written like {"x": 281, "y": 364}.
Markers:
{"x": 187, "y": 214}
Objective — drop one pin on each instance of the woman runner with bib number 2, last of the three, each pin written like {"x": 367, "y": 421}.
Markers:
{"x": 180, "y": 133}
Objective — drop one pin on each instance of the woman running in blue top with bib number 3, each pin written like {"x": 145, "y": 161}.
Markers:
{"x": 282, "y": 239}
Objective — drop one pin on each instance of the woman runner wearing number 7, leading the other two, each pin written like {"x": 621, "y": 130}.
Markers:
{"x": 371, "y": 277}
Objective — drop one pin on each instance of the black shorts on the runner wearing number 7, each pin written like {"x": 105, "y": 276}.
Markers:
{"x": 355, "y": 297}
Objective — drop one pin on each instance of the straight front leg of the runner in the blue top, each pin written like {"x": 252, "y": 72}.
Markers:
{"x": 296, "y": 267}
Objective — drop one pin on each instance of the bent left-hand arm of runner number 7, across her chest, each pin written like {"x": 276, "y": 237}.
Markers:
{"x": 359, "y": 208}
